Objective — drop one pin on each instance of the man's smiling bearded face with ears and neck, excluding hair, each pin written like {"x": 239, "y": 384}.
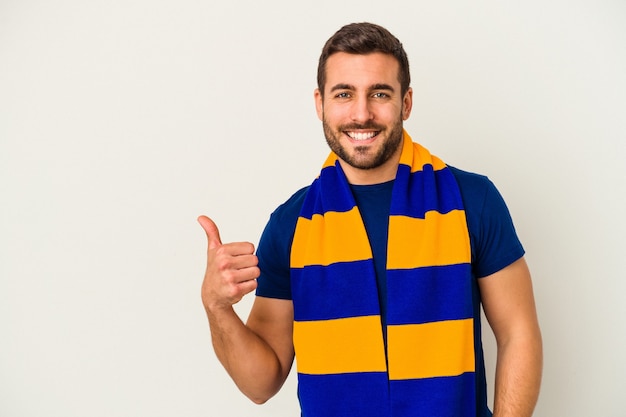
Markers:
{"x": 362, "y": 112}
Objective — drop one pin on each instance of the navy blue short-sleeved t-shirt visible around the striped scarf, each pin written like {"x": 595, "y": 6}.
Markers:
{"x": 493, "y": 240}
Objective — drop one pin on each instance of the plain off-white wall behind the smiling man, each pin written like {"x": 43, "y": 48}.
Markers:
{"x": 122, "y": 121}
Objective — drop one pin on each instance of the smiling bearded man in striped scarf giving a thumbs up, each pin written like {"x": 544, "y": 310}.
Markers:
{"x": 373, "y": 276}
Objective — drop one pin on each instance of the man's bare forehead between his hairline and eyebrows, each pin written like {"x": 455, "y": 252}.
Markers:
{"x": 362, "y": 71}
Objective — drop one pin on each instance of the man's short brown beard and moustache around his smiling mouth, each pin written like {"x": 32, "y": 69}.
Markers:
{"x": 363, "y": 157}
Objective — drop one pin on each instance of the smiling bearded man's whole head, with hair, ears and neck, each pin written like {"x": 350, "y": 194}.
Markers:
{"x": 362, "y": 99}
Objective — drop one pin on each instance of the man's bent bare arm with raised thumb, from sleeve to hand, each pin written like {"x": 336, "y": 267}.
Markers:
{"x": 257, "y": 355}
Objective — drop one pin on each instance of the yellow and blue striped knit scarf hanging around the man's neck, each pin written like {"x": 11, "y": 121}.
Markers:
{"x": 344, "y": 368}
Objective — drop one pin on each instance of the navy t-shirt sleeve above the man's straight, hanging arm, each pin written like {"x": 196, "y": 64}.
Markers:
{"x": 495, "y": 243}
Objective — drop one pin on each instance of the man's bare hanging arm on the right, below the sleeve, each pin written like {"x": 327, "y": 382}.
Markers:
{"x": 509, "y": 306}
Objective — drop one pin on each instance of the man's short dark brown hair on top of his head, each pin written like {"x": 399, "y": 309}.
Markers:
{"x": 361, "y": 39}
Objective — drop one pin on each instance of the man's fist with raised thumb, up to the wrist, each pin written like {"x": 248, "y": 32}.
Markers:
{"x": 231, "y": 269}
